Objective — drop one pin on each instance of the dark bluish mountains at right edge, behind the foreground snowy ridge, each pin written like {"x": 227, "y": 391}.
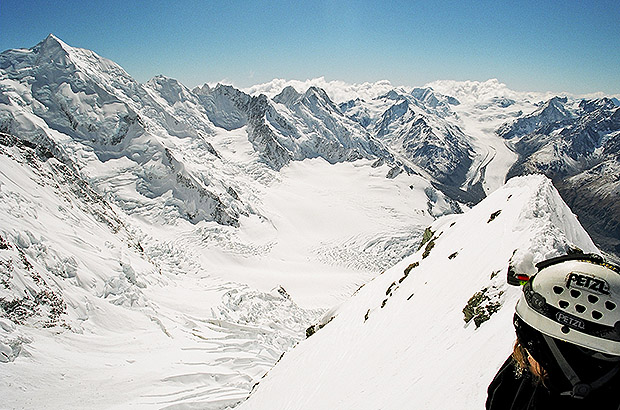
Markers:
{"x": 577, "y": 144}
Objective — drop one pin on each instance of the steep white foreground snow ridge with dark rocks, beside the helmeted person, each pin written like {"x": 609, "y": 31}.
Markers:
{"x": 402, "y": 342}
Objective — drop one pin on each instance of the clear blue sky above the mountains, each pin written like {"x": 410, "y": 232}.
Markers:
{"x": 568, "y": 45}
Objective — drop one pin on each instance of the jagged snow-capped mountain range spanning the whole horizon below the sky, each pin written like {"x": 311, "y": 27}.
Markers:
{"x": 418, "y": 131}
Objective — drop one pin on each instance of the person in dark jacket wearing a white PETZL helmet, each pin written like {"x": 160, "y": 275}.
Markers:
{"x": 567, "y": 353}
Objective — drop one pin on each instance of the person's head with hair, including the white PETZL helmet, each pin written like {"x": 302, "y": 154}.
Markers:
{"x": 568, "y": 322}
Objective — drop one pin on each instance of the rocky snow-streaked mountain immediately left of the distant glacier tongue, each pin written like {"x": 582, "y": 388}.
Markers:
{"x": 412, "y": 126}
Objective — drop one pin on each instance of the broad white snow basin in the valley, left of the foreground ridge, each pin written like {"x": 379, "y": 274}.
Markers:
{"x": 190, "y": 316}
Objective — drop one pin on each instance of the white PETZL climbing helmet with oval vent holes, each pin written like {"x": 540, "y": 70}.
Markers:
{"x": 575, "y": 298}
